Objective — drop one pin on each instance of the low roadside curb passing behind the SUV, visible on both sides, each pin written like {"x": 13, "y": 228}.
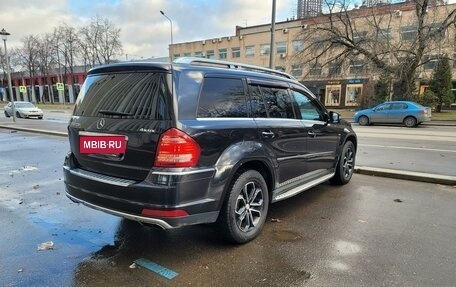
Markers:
{"x": 366, "y": 170}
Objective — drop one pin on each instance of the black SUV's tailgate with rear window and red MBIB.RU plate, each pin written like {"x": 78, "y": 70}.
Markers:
{"x": 131, "y": 108}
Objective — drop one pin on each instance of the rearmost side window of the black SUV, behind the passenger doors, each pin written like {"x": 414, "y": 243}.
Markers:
{"x": 222, "y": 97}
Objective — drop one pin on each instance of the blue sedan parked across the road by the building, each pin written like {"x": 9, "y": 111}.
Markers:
{"x": 408, "y": 113}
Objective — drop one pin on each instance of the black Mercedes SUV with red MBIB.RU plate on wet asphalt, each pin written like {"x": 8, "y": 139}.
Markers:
{"x": 200, "y": 141}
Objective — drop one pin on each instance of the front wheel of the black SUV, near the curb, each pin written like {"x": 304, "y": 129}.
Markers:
{"x": 346, "y": 165}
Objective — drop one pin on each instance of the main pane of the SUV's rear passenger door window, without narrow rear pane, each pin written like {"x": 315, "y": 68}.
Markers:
{"x": 277, "y": 102}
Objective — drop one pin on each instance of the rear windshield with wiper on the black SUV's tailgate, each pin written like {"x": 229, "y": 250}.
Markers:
{"x": 128, "y": 95}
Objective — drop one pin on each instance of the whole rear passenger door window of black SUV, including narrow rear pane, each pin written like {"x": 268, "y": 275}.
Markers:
{"x": 271, "y": 102}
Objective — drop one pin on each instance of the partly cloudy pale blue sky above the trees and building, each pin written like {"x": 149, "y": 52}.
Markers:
{"x": 145, "y": 33}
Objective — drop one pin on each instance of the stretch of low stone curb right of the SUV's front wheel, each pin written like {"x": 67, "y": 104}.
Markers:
{"x": 407, "y": 175}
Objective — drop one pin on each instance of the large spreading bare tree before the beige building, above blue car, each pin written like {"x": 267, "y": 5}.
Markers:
{"x": 346, "y": 37}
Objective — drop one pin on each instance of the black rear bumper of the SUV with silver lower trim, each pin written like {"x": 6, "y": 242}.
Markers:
{"x": 187, "y": 191}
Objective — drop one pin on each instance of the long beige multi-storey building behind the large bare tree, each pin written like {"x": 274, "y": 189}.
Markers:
{"x": 340, "y": 85}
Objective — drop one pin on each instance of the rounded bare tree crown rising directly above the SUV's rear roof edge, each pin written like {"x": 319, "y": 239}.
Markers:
{"x": 100, "y": 42}
